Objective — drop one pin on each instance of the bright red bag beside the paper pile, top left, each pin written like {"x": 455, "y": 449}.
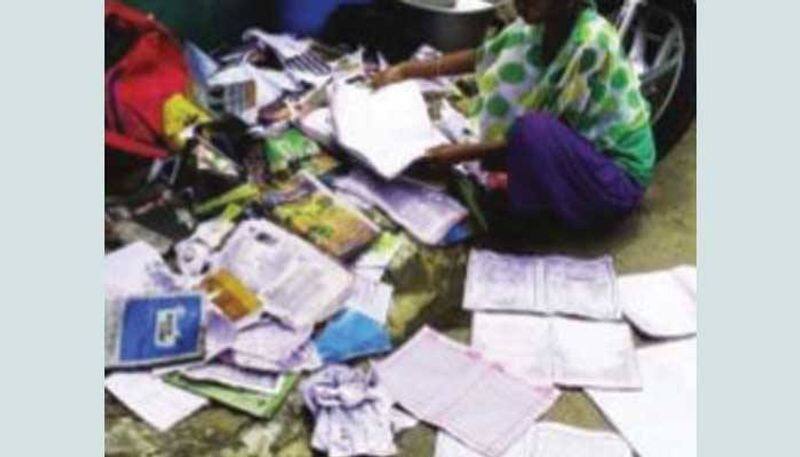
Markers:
{"x": 137, "y": 86}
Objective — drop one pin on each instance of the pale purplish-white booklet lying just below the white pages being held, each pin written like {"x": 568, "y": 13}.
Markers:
{"x": 427, "y": 213}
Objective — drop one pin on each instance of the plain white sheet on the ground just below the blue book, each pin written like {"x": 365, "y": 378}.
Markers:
{"x": 156, "y": 402}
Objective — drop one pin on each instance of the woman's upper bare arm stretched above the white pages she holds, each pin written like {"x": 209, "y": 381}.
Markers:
{"x": 447, "y": 65}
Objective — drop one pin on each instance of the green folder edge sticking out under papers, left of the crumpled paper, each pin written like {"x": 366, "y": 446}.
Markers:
{"x": 254, "y": 403}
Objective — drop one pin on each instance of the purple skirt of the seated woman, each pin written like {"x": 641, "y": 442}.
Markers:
{"x": 553, "y": 169}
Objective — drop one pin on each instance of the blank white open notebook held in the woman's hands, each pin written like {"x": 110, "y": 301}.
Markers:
{"x": 387, "y": 129}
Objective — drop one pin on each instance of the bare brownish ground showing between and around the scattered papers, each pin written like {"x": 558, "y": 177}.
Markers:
{"x": 662, "y": 234}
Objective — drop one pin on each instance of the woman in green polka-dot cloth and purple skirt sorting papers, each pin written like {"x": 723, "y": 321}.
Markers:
{"x": 559, "y": 98}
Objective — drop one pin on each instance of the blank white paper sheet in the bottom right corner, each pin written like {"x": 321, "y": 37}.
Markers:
{"x": 661, "y": 420}
